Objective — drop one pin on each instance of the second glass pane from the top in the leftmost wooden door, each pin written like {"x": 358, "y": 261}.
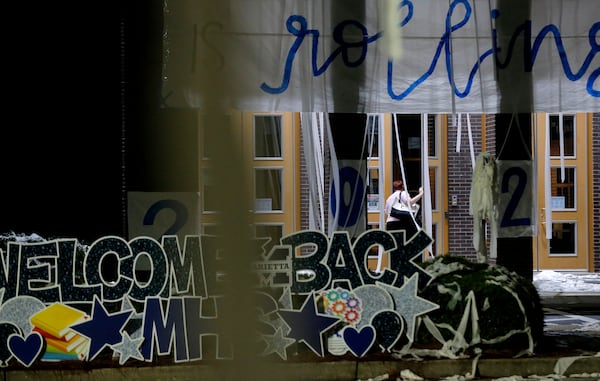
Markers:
{"x": 268, "y": 189}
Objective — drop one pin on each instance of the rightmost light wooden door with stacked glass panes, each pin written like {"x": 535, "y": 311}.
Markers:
{"x": 562, "y": 244}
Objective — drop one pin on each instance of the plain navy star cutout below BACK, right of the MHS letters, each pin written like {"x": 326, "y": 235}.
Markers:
{"x": 307, "y": 325}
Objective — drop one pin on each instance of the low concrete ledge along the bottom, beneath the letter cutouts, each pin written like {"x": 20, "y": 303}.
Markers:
{"x": 323, "y": 371}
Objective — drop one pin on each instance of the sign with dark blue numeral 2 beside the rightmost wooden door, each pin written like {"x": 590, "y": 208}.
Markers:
{"x": 515, "y": 205}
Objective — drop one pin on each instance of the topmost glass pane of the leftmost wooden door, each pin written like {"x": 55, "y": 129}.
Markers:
{"x": 267, "y": 136}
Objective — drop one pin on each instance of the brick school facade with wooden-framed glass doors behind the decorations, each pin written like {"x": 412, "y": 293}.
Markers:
{"x": 288, "y": 162}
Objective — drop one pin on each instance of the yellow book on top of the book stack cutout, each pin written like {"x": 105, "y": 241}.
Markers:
{"x": 57, "y": 318}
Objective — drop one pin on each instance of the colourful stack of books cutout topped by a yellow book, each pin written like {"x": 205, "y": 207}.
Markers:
{"x": 62, "y": 343}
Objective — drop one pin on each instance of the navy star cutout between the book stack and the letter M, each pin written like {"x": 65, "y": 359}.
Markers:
{"x": 103, "y": 328}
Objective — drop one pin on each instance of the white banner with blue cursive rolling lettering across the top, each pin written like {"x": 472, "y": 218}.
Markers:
{"x": 425, "y": 56}
